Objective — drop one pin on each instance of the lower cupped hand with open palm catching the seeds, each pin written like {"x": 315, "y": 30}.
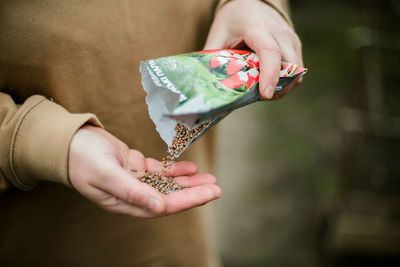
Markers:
{"x": 99, "y": 169}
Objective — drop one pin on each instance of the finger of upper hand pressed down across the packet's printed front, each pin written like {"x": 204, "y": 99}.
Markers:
{"x": 270, "y": 61}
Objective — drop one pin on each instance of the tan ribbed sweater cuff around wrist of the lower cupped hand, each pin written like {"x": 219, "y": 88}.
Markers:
{"x": 40, "y": 145}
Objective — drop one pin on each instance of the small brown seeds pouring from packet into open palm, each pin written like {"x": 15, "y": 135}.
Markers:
{"x": 182, "y": 139}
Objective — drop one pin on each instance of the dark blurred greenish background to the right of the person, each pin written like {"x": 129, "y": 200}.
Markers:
{"x": 314, "y": 179}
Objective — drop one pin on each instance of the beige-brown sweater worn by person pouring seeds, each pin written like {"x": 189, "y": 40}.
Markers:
{"x": 61, "y": 62}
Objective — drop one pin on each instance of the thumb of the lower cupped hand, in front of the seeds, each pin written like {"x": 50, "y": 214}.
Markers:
{"x": 121, "y": 184}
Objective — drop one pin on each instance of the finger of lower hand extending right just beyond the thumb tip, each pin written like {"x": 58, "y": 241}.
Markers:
{"x": 190, "y": 198}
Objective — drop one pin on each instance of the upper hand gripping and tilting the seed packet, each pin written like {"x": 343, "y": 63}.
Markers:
{"x": 260, "y": 27}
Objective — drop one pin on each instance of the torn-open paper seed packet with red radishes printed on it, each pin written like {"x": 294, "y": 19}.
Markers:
{"x": 203, "y": 87}
